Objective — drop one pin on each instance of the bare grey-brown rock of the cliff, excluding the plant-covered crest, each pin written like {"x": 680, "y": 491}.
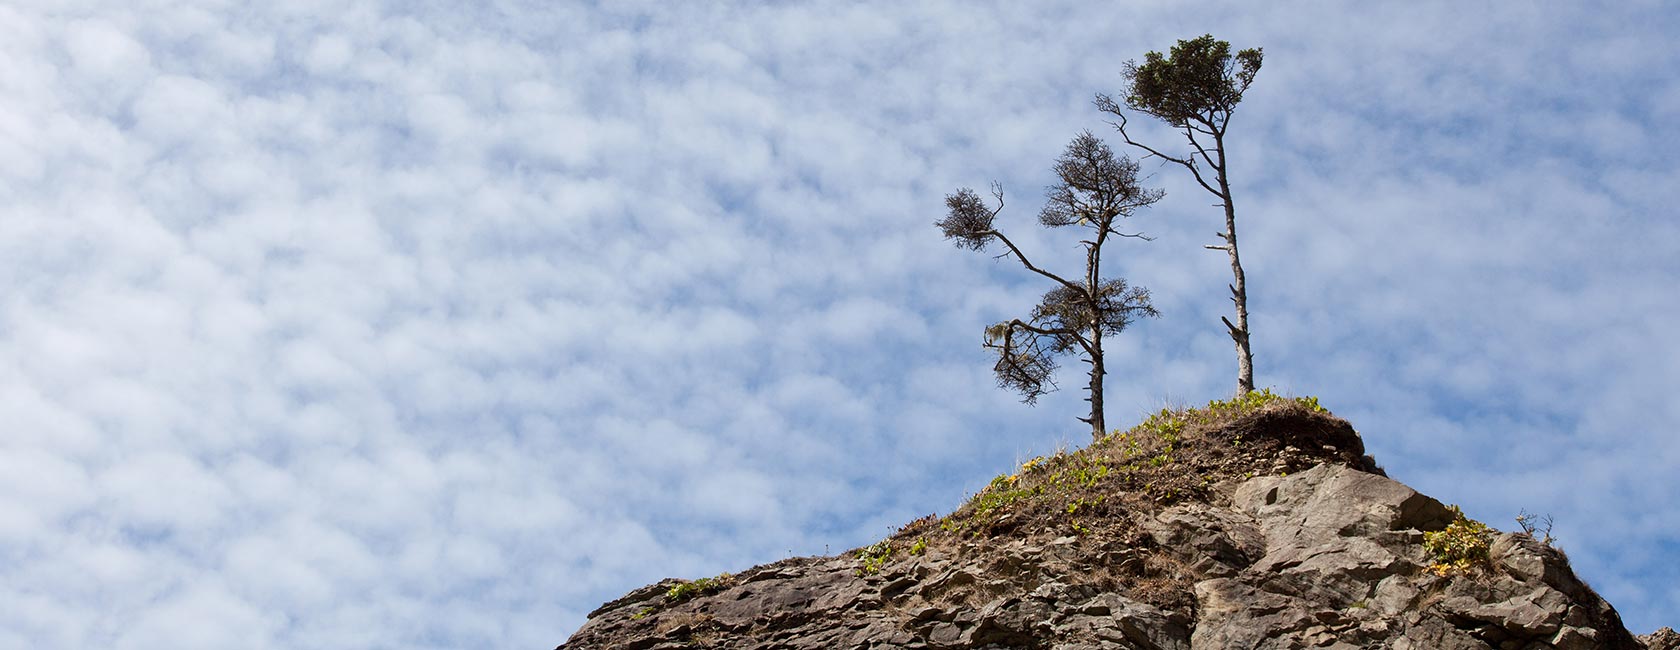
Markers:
{"x": 1325, "y": 558}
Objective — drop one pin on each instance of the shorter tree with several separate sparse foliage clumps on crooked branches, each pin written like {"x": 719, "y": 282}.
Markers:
{"x": 1095, "y": 191}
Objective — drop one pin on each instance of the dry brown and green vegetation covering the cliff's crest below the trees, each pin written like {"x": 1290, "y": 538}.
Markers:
{"x": 1100, "y": 493}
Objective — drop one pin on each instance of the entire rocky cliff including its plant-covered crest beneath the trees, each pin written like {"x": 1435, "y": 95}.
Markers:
{"x": 1246, "y": 525}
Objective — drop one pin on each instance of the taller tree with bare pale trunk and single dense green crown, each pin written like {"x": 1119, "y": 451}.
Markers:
{"x": 1195, "y": 90}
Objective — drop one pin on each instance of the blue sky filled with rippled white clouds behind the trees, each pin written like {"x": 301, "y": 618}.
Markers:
{"x": 431, "y": 325}
